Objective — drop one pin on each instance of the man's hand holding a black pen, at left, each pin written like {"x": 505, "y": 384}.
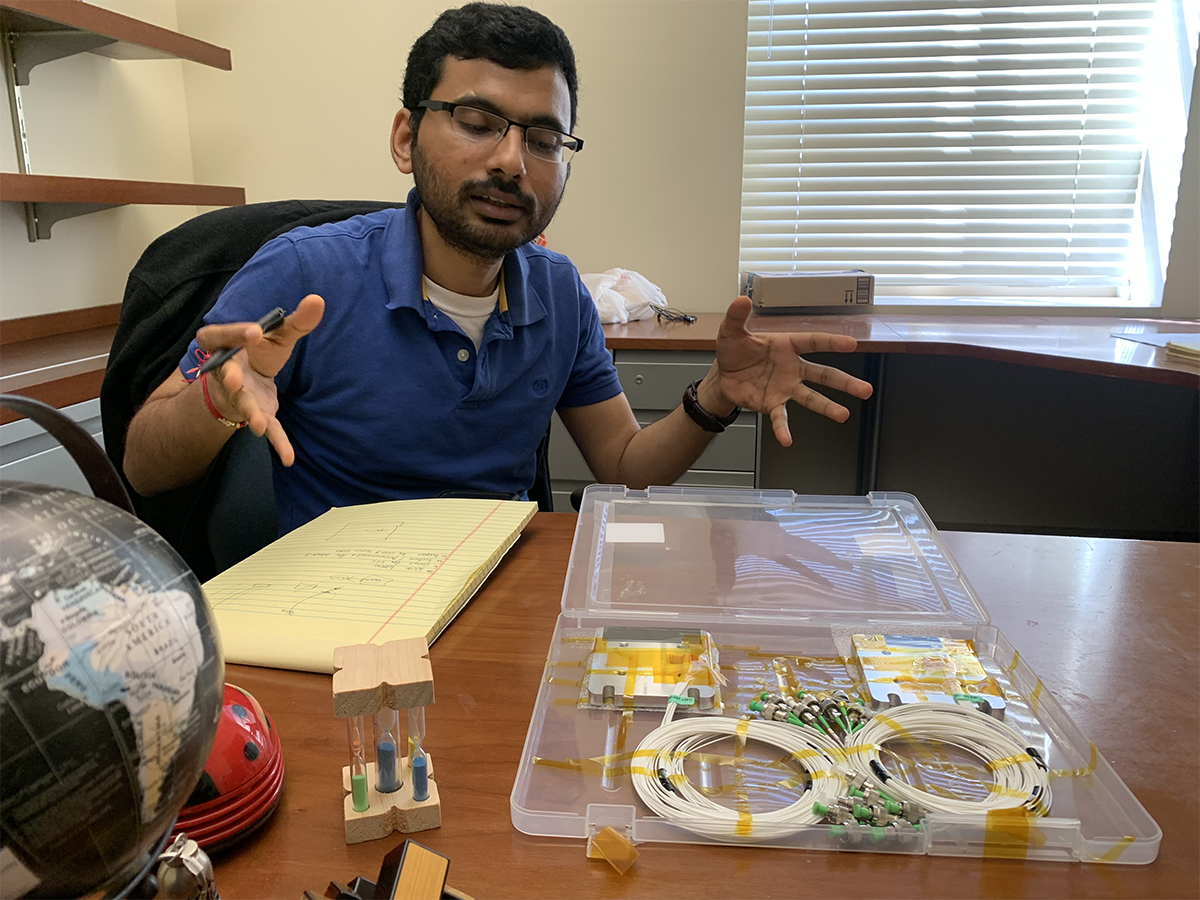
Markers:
{"x": 244, "y": 388}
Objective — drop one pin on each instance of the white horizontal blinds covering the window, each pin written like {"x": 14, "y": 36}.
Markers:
{"x": 957, "y": 151}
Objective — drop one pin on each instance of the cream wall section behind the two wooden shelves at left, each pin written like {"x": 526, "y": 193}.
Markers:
{"x": 101, "y": 118}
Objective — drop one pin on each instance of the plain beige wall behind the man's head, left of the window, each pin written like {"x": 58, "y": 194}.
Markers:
{"x": 309, "y": 106}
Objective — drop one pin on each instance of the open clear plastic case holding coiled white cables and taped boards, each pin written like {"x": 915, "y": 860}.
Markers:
{"x": 710, "y": 601}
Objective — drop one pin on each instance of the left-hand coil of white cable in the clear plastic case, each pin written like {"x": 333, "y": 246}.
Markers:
{"x": 661, "y": 782}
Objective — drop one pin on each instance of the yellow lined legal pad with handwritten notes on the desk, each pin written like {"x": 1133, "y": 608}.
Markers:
{"x": 362, "y": 575}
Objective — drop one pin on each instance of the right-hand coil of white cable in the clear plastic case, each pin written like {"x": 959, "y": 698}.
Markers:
{"x": 1021, "y": 779}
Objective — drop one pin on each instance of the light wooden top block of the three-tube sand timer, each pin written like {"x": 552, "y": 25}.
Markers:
{"x": 371, "y": 677}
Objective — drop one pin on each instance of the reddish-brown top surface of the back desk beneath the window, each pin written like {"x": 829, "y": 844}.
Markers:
{"x": 1077, "y": 345}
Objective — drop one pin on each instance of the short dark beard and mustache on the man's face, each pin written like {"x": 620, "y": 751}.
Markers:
{"x": 447, "y": 209}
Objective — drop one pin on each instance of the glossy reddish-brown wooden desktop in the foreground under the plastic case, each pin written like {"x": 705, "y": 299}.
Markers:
{"x": 1107, "y": 625}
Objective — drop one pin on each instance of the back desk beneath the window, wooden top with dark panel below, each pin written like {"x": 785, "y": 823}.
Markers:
{"x": 999, "y": 424}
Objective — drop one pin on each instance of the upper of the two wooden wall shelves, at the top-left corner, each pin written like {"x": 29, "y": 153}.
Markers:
{"x": 46, "y": 31}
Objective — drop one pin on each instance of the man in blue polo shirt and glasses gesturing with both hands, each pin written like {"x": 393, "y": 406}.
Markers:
{"x": 433, "y": 345}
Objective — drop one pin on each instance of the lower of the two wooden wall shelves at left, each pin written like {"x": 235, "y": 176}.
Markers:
{"x": 58, "y": 197}
